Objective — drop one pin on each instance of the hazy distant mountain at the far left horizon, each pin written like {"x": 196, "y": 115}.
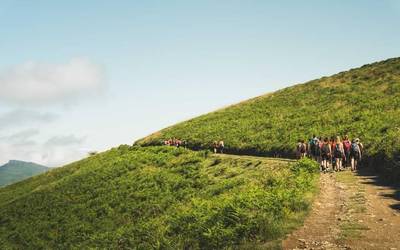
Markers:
{"x": 15, "y": 171}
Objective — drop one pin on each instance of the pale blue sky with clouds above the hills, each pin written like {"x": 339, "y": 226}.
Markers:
{"x": 81, "y": 76}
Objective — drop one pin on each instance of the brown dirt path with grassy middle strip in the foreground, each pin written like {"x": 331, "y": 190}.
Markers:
{"x": 351, "y": 212}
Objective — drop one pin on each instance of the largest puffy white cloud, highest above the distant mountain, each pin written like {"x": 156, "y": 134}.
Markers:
{"x": 41, "y": 83}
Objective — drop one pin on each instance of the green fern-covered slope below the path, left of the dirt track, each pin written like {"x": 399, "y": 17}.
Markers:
{"x": 155, "y": 197}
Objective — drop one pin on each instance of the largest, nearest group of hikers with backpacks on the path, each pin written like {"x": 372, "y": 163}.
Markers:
{"x": 334, "y": 152}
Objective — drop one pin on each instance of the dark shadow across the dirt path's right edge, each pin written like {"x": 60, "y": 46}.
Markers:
{"x": 371, "y": 177}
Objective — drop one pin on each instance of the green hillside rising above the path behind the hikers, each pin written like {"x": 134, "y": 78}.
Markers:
{"x": 362, "y": 102}
